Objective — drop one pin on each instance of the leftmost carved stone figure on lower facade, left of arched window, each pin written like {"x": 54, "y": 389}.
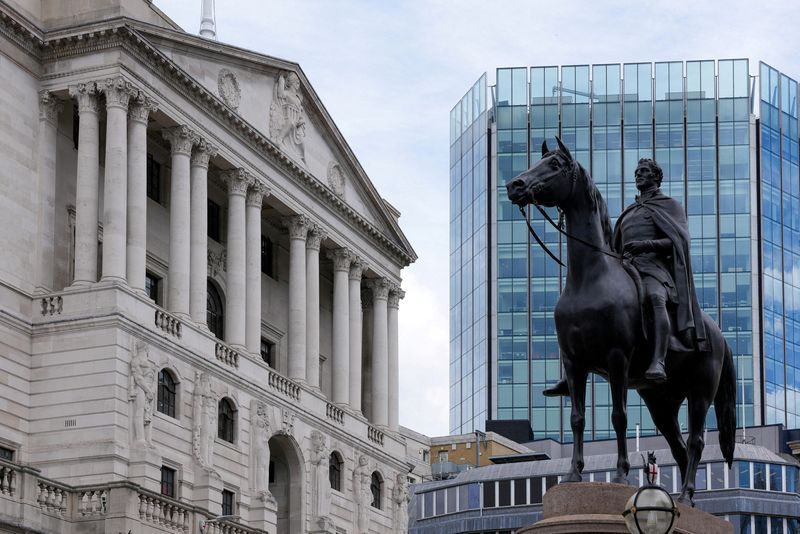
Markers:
{"x": 141, "y": 392}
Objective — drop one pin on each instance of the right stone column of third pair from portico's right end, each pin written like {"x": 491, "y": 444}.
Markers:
{"x": 315, "y": 238}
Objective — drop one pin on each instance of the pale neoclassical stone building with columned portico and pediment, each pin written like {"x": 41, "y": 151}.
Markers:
{"x": 199, "y": 288}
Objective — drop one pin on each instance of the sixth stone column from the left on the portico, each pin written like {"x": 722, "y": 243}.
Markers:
{"x": 198, "y": 221}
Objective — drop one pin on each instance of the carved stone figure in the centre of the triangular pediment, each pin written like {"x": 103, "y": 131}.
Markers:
{"x": 287, "y": 126}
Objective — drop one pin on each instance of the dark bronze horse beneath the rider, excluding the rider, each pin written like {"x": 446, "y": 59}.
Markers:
{"x": 600, "y": 329}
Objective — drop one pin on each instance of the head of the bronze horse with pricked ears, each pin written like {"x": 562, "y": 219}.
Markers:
{"x": 549, "y": 182}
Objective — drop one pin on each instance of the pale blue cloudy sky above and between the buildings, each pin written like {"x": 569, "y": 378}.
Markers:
{"x": 389, "y": 72}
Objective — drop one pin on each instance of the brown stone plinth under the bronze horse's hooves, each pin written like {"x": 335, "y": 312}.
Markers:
{"x": 596, "y": 508}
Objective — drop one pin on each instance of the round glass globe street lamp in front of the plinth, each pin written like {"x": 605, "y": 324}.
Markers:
{"x": 651, "y": 509}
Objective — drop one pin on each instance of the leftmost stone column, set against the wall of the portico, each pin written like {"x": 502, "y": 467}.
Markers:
{"x": 49, "y": 108}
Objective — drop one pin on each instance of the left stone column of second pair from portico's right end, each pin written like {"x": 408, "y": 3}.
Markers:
{"x": 340, "y": 368}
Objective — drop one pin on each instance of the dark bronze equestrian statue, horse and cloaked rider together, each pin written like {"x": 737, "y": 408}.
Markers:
{"x": 629, "y": 312}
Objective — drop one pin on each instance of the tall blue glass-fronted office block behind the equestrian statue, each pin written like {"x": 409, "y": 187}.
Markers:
{"x": 725, "y": 133}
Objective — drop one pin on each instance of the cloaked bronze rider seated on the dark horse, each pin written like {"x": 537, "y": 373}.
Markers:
{"x": 653, "y": 236}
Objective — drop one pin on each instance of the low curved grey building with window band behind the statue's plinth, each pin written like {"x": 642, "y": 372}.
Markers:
{"x": 759, "y": 495}
